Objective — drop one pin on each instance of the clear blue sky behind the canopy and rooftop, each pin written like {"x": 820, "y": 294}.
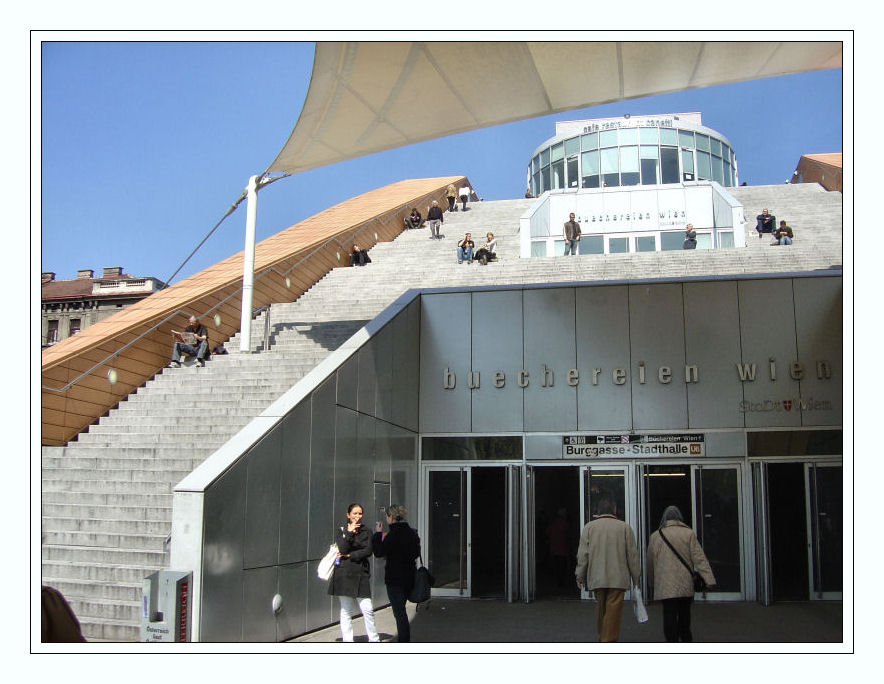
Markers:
{"x": 146, "y": 145}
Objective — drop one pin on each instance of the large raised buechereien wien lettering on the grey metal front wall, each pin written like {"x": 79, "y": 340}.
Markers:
{"x": 619, "y": 375}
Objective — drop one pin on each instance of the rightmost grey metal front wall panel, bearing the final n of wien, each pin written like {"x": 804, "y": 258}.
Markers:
{"x": 819, "y": 321}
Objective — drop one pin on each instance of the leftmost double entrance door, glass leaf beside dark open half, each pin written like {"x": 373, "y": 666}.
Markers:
{"x": 471, "y": 530}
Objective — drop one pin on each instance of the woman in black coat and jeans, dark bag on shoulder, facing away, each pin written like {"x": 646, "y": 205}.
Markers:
{"x": 400, "y": 545}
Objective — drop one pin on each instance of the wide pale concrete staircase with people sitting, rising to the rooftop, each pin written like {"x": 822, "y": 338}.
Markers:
{"x": 106, "y": 501}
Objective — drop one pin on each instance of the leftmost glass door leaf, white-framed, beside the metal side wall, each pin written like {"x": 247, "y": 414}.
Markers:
{"x": 448, "y": 542}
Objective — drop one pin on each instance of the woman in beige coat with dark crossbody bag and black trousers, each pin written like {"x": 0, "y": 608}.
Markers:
{"x": 673, "y": 583}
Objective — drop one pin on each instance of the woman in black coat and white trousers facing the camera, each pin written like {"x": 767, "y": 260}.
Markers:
{"x": 351, "y": 579}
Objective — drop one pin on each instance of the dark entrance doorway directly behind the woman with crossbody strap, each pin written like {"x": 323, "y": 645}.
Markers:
{"x": 709, "y": 500}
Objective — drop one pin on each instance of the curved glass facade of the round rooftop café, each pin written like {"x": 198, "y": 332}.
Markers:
{"x": 631, "y": 152}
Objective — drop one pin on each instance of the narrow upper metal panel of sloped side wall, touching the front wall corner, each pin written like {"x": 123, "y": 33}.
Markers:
{"x": 406, "y": 366}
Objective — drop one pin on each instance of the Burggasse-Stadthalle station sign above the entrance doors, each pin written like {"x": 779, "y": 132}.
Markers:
{"x": 628, "y": 446}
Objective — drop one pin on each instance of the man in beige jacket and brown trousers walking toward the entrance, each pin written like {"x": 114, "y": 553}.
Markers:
{"x": 607, "y": 559}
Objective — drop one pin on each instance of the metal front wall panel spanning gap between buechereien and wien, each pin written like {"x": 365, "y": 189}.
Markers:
{"x": 712, "y": 343}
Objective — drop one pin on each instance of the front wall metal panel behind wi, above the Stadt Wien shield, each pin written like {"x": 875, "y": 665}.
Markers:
{"x": 767, "y": 331}
